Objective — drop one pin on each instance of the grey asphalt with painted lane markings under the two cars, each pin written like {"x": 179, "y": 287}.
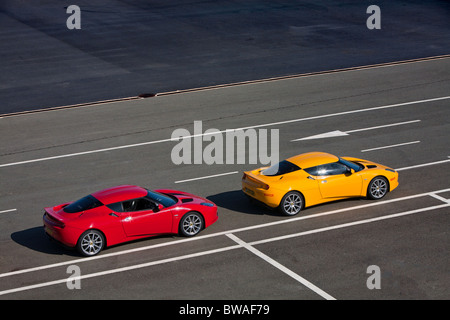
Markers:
{"x": 411, "y": 250}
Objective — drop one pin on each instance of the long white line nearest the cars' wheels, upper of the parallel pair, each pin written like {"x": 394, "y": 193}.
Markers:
{"x": 201, "y": 237}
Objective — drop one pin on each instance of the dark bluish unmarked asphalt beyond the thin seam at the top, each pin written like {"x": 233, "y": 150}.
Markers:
{"x": 126, "y": 48}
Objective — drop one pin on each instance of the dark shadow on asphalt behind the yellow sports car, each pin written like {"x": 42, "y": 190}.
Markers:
{"x": 237, "y": 201}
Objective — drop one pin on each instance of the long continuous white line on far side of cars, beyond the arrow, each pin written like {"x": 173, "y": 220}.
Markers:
{"x": 224, "y": 131}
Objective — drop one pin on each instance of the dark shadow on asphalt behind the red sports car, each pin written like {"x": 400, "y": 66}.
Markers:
{"x": 35, "y": 239}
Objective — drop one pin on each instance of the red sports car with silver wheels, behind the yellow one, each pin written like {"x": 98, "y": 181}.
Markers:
{"x": 126, "y": 213}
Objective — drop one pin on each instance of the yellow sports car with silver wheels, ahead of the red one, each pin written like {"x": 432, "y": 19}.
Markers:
{"x": 317, "y": 177}
